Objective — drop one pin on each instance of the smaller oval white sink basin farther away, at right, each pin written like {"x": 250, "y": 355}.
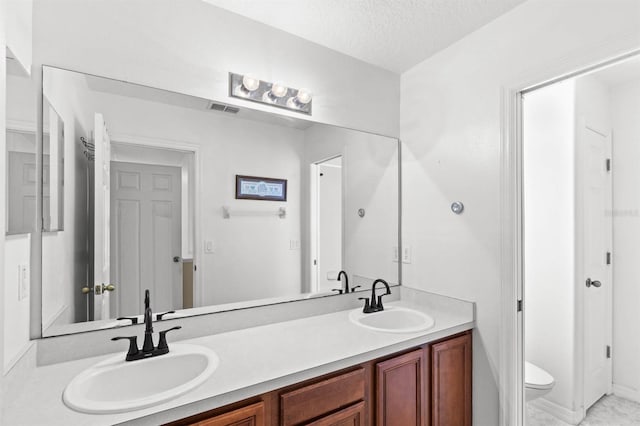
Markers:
{"x": 394, "y": 319}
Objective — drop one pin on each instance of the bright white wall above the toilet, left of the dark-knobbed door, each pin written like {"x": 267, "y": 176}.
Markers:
{"x": 549, "y": 235}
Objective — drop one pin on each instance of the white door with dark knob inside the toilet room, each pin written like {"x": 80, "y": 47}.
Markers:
{"x": 597, "y": 277}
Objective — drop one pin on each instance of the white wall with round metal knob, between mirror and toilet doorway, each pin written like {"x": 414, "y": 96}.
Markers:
{"x": 451, "y": 130}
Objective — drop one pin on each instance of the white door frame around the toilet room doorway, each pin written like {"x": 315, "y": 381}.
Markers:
{"x": 511, "y": 346}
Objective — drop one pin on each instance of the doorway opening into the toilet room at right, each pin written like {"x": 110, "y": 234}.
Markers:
{"x": 579, "y": 144}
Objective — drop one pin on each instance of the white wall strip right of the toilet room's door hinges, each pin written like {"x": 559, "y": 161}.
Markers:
{"x": 625, "y": 109}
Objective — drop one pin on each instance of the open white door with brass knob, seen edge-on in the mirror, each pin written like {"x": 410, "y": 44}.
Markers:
{"x": 102, "y": 219}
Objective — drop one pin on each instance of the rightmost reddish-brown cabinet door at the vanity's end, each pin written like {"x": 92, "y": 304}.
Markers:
{"x": 451, "y": 382}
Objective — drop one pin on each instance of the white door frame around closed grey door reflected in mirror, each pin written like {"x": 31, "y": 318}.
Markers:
{"x": 186, "y": 147}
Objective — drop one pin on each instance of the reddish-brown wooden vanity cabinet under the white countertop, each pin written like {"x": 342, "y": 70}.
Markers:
{"x": 426, "y": 386}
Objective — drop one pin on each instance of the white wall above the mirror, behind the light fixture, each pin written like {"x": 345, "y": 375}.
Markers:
{"x": 190, "y": 47}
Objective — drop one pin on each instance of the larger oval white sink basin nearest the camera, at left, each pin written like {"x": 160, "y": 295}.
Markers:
{"x": 115, "y": 385}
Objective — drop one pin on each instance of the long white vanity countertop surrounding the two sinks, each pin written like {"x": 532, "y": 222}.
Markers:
{"x": 252, "y": 361}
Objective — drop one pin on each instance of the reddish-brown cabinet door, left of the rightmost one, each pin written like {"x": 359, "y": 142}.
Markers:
{"x": 401, "y": 398}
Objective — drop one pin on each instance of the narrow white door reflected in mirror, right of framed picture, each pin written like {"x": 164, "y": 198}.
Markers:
{"x": 328, "y": 222}
